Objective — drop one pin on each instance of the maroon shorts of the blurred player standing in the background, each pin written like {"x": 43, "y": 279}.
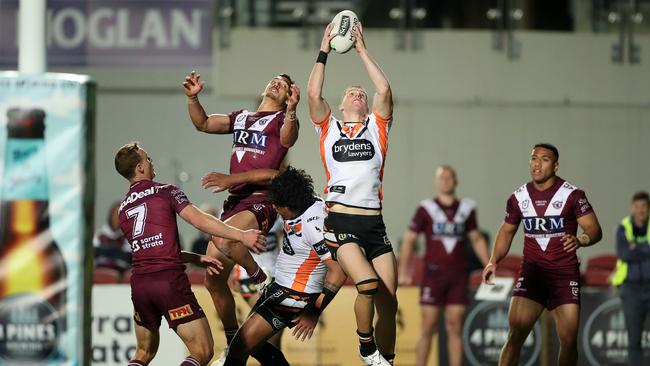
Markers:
{"x": 443, "y": 286}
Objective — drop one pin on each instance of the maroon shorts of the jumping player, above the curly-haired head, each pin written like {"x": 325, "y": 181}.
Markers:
{"x": 258, "y": 204}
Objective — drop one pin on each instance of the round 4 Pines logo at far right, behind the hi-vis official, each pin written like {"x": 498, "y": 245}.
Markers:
{"x": 605, "y": 339}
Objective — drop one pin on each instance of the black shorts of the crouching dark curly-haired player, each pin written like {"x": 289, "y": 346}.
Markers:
{"x": 279, "y": 305}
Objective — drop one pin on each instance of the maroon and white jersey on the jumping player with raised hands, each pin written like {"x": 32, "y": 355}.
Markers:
{"x": 255, "y": 144}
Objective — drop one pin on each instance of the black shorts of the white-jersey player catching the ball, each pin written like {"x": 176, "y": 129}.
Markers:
{"x": 367, "y": 231}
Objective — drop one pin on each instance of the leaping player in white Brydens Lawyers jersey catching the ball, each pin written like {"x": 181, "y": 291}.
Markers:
{"x": 353, "y": 150}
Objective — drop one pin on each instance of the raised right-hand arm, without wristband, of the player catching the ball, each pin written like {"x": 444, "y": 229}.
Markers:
{"x": 382, "y": 102}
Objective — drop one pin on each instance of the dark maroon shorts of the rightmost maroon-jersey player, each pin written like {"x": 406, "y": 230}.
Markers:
{"x": 549, "y": 287}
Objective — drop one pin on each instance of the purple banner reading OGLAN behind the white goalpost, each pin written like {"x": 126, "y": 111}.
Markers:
{"x": 118, "y": 33}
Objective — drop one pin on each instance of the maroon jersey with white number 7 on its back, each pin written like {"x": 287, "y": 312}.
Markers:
{"x": 148, "y": 220}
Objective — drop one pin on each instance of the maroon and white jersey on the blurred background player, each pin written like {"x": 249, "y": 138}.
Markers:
{"x": 445, "y": 229}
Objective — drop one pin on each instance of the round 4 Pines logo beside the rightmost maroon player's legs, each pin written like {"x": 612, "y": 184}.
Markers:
{"x": 485, "y": 332}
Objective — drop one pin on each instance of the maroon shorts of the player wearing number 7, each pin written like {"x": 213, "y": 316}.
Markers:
{"x": 164, "y": 293}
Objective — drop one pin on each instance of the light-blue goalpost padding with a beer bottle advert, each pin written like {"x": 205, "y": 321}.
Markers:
{"x": 46, "y": 134}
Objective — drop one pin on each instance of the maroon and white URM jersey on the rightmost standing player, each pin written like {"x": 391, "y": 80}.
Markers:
{"x": 547, "y": 216}
